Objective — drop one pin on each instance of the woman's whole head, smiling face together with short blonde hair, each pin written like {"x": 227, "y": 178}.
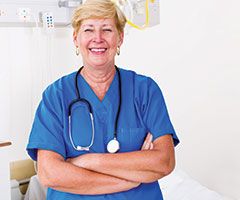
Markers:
{"x": 98, "y": 32}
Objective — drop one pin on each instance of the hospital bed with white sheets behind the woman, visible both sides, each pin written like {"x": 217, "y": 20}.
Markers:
{"x": 176, "y": 186}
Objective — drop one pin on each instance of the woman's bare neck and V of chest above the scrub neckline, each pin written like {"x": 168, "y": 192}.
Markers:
{"x": 99, "y": 80}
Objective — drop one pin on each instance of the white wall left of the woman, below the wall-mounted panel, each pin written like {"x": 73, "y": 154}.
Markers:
{"x": 30, "y": 60}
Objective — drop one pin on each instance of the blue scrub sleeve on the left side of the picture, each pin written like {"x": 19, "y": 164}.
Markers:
{"x": 47, "y": 129}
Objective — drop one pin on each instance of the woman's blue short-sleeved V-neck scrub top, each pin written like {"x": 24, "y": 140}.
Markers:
{"x": 143, "y": 110}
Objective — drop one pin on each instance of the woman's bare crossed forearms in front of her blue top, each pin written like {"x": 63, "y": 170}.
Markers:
{"x": 93, "y": 174}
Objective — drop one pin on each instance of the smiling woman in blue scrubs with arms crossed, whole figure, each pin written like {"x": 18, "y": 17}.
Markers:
{"x": 126, "y": 144}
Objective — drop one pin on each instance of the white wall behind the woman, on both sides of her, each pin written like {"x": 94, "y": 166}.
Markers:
{"x": 194, "y": 56}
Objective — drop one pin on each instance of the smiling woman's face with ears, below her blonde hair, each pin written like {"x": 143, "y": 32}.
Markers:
{"x": 98, "y": 40}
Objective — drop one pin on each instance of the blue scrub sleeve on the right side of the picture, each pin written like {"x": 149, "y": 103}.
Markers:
{"x": 155, "y": 114}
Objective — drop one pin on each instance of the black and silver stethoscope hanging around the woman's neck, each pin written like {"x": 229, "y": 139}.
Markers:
{"x": 113, "y": 145}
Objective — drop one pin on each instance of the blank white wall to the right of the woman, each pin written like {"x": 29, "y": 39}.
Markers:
{"x": 194, "y": 55}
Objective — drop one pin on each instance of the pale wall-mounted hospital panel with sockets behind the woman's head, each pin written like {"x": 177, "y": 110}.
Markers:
{"x": 54, "y": 13}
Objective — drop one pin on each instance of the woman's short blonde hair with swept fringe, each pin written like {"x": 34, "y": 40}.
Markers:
{"x": 98, "y": 9}
